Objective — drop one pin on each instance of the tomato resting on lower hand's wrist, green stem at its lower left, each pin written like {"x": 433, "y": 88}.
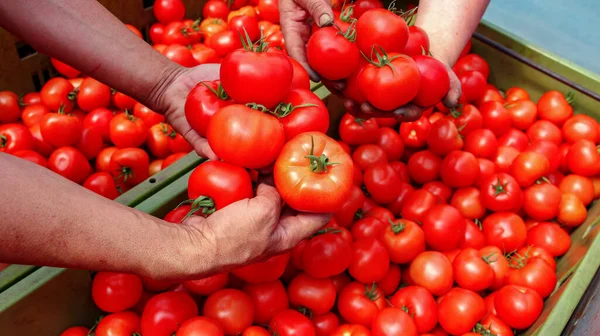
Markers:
{"x": 215, "y": 184}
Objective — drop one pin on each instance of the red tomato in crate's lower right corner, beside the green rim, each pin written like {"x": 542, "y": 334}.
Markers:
{"x": 519, "y": 307}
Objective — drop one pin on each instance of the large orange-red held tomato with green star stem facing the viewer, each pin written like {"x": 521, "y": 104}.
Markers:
{"x": 313, "y": 173}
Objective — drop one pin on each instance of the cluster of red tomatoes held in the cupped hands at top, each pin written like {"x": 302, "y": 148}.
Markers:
{"x": 382, "y": 60}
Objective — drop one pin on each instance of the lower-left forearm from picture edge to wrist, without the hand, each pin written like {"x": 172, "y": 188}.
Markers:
{"x": 47, "y": 220}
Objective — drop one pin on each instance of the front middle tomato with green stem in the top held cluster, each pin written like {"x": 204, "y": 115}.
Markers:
{"x": 392, "y": 86}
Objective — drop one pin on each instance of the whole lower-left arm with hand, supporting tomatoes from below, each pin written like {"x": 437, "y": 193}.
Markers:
{"x": 76, "y": 228}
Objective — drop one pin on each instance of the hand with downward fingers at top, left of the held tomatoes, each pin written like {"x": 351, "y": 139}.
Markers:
{"x": 296, "y": 21}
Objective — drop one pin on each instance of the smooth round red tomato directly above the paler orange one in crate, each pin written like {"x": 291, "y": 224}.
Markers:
{"x": 444, "y": 227}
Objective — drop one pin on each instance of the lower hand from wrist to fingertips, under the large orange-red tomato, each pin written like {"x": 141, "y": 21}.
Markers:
{"x": 247, "y": 231}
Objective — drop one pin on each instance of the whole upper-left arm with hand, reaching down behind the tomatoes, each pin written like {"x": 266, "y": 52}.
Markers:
{"x": 88, "y": 37}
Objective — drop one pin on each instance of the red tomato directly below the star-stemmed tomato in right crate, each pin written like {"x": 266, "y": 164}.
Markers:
{"x": 504, "y": 230}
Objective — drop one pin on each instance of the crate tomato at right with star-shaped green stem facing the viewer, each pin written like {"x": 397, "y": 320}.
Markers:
{"x": 501, "y": 192}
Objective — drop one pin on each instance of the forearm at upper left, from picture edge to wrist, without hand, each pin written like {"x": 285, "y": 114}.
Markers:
{"x": 87, "y": 36}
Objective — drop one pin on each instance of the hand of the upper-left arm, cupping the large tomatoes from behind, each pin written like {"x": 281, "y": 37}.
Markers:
{"x": 171, "y": 98}
